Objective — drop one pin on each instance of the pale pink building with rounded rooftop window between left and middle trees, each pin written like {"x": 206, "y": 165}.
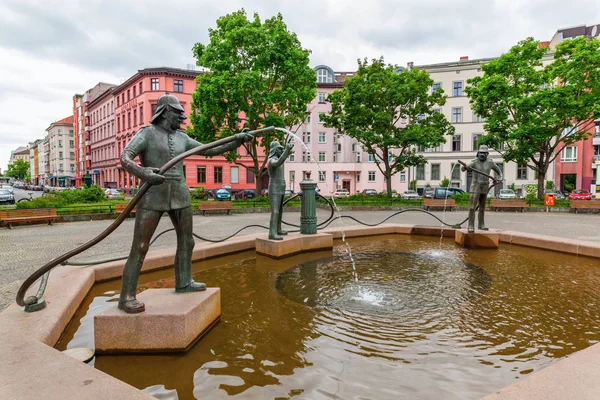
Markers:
{"x": 335, "y": 161}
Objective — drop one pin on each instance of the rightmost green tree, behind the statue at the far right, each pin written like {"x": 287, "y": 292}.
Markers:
{"x": 533, "y": 111}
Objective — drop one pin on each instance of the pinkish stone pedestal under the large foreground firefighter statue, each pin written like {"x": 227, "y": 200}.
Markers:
{"x": 172, "y": 322}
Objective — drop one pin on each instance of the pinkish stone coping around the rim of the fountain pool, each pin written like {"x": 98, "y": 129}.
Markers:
{"x": 68, "y": 286}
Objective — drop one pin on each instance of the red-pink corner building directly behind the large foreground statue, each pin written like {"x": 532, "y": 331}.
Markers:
{"x": 135, "y": 103}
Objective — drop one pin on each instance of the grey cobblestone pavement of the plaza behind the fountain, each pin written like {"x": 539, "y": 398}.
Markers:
{"x": 26, "y": 248}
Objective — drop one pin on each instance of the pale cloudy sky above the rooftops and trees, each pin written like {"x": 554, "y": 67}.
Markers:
{"x": 51, "y": 50}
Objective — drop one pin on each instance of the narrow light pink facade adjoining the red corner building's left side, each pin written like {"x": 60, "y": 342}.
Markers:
{"x": 102, "y": 144}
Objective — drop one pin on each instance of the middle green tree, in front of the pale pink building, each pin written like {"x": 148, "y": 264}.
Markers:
{"x": 390, "y": 113}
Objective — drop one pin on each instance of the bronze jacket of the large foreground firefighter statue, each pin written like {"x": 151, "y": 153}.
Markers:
{"x": 156, "y": 146}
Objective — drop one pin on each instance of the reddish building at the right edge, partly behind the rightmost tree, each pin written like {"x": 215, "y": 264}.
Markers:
{"x": 580, "y": 163}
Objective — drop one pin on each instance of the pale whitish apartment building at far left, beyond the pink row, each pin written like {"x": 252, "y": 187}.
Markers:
{"x": 61, "y": 153}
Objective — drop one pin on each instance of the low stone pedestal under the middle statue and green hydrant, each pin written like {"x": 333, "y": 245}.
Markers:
{"x": 294, "y": 243}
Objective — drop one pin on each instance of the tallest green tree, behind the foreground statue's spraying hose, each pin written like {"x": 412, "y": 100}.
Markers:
{"x": 258, "y": 75}
